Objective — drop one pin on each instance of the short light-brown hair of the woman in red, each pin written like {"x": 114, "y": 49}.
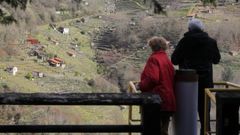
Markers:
{"x": 158, "y": 43}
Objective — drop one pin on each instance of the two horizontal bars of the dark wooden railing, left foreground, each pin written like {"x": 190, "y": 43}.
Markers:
{"x": 81, "y": 99}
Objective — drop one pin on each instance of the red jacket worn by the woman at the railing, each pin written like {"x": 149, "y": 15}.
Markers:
{"x": 158, "y": 77}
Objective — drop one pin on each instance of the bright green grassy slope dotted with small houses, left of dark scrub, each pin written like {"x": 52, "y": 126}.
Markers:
{"x": 81, "y": 74}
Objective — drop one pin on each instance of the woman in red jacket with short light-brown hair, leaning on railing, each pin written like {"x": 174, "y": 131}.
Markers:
{"x": 158, "y": 77}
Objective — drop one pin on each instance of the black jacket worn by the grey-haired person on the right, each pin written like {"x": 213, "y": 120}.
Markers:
{"x": 196, "y": 50}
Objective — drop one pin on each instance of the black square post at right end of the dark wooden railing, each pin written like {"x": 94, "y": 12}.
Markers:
{"x": 151, "y": 116}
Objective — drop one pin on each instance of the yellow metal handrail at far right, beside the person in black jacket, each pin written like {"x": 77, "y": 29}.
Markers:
{"x": 209, "y": 96}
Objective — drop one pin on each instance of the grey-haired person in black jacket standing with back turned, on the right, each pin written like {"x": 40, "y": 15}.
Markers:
{"x": 196, "y": 50}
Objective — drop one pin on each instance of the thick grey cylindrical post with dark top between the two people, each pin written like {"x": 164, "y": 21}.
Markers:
{"x": 186, "y": 89}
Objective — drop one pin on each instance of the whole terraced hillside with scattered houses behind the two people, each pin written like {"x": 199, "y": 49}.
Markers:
{"x": 102, "y": 48}
